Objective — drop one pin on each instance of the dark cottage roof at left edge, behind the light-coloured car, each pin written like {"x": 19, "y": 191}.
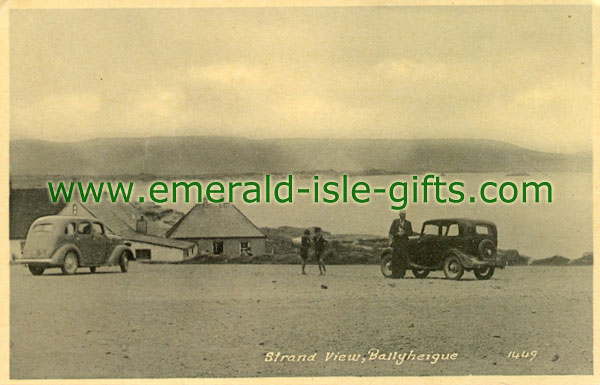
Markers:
{"x": 26, "y": 205}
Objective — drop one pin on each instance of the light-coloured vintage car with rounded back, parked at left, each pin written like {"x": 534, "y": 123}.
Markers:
{"x": 71, "y": 242}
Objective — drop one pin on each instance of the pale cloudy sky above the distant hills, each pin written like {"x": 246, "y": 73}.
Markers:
{"x": 520, "y": 74}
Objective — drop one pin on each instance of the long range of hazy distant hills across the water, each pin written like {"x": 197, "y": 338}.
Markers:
{"x": 211, "y": 155}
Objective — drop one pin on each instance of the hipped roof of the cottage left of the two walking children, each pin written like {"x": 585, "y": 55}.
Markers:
{"x": 214, "y": 221}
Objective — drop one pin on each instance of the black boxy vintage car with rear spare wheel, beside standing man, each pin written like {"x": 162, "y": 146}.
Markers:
{"x": 454, "y": 245}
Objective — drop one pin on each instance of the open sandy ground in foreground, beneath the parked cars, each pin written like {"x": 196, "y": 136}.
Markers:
{"x": 225, "y": 320}
